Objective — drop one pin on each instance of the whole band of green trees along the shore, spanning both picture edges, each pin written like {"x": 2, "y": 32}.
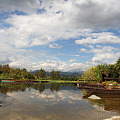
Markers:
{"x": 97, "y": 73}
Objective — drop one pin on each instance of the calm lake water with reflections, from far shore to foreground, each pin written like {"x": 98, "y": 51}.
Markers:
{"x": 52, "y": 102}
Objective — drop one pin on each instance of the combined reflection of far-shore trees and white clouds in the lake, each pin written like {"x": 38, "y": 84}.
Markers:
{"x": 43, "y": 92}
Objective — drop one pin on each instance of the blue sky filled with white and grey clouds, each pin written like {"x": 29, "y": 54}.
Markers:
{"x": 64, "y": 35}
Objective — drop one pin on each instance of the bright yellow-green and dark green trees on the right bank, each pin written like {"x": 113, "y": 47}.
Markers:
{"x": 101, "y": 71}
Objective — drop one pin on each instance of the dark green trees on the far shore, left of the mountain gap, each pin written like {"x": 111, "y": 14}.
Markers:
{"x": 16, "y": 73}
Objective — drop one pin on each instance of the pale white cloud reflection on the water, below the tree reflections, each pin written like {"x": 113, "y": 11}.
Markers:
{"x": 63, "y": 95}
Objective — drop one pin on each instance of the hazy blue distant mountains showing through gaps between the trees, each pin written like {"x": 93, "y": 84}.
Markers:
{"x": 65, "y": 74}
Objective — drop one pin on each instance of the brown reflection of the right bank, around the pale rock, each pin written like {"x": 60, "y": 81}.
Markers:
{"x": 109, "y": 102}
